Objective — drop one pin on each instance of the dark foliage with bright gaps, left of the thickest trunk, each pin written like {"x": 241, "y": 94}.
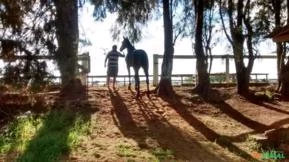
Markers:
{"x": 21, "y": 43}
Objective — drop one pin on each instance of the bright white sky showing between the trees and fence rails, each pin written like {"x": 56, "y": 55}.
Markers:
{"x": 98, "y": 32}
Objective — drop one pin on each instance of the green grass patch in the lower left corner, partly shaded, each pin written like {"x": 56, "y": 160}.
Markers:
{"x": 44, "y": 138}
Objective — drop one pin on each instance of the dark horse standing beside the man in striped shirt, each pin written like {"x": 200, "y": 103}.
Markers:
{"x": 135, "y": 58}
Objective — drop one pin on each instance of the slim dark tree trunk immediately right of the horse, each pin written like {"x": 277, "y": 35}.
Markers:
{"x": 165, "y": 88}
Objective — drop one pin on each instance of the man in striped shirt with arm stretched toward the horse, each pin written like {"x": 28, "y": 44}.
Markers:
{"x": 112, "y": 69}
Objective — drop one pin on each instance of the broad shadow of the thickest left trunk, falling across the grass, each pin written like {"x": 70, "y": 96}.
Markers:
{"x": 55, "y": 138}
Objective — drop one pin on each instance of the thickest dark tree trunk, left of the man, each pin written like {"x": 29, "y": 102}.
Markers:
{"x": 67, "y": 37}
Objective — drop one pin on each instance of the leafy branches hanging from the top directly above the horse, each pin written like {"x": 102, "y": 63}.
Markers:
{"x": 132, "y": 15}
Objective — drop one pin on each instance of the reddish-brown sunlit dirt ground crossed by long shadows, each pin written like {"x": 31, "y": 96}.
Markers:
{"x": 185, "y": 129}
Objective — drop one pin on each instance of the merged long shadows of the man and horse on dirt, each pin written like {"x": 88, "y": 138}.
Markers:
{"x": 159, "y": 129}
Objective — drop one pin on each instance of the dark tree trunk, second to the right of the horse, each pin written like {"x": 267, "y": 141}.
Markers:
{"x": 202, "y": 63}
